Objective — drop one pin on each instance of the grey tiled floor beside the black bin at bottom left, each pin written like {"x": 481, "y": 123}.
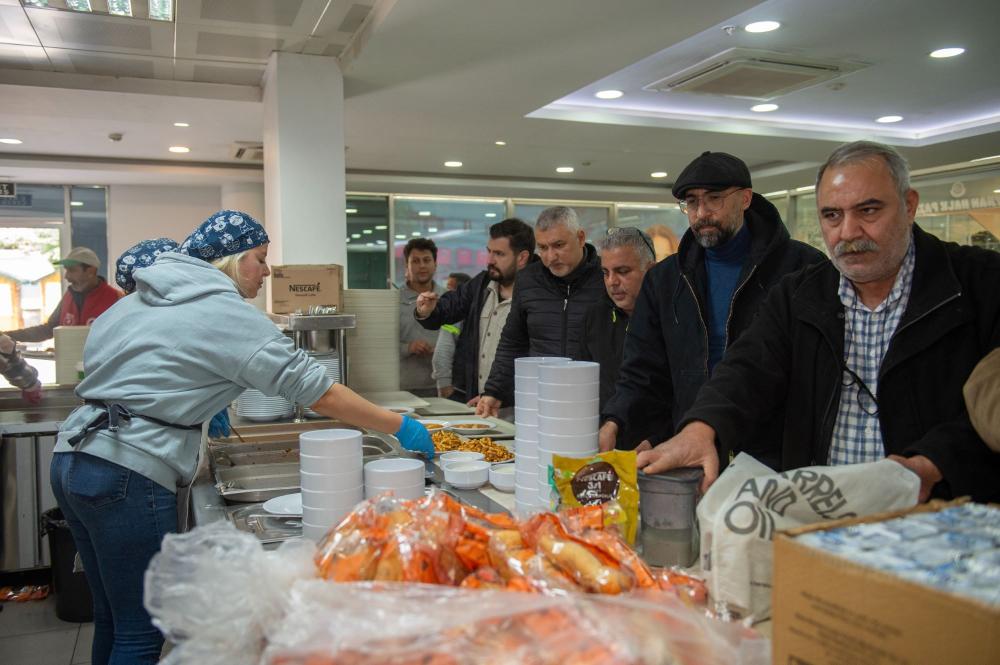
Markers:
{"x": 31, "y": 634}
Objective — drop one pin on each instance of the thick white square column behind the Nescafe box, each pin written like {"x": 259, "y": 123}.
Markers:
{"x": 304, "y": 159}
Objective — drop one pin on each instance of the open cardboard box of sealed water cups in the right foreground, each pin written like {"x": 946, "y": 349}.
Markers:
{"x": 831, "y": 611}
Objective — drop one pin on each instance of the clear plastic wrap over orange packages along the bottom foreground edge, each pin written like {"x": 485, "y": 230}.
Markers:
{"x": 410, "y": 624}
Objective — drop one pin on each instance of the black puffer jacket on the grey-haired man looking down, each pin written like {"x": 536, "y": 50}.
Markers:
{"x": 545, "y": 319}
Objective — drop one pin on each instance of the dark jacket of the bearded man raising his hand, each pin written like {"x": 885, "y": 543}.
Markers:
{"x": 463, "y": 304}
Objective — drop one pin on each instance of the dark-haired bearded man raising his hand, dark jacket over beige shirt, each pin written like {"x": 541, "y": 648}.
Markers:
{"x": 482, "y": 304}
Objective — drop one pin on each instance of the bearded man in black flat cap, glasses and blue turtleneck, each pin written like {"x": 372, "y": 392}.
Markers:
{"x": 694, "y": 304}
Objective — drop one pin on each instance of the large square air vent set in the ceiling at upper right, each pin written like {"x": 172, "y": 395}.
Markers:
{"x": 752, "y": 74}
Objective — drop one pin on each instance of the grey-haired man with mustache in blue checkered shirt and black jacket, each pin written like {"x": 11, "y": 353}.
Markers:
{"x": 864, "y": 357}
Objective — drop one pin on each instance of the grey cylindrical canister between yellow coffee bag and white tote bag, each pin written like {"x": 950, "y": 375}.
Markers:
{"x": 667, "y": 510}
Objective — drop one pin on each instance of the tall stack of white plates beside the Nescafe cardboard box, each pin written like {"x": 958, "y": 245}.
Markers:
{"x": 373, "y": 346}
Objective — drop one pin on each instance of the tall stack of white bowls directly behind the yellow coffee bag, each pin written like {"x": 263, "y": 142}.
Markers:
{"x": 568, "y": 416}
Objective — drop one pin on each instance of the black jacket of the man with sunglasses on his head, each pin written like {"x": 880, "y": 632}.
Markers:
{"x": 604, "y": 328}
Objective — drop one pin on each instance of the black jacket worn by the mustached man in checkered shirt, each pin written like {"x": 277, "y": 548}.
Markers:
{"x": 792, "y": 358}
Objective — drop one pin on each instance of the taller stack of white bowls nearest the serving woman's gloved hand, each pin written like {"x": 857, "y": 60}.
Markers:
{"x": 331, "y": 475}
